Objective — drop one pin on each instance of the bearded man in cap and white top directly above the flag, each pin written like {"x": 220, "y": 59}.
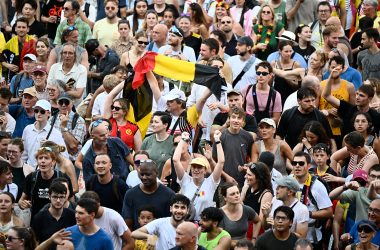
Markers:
{"x": 176, "y": 47}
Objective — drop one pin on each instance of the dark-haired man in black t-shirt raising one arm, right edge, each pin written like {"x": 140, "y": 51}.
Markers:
{"x": 346, "y": 110}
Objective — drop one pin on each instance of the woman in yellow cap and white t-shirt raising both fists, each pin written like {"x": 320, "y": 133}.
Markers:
{"x": 197, "y": 188}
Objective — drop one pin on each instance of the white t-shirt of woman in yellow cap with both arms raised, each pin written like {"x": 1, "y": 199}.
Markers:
{"x": 205, "y": 194}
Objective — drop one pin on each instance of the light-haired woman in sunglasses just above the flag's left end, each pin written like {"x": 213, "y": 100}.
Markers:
{"x": 129, "y": 58}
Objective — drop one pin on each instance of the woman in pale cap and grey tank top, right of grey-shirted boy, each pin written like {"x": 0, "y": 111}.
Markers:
{"x": 279, "y": 148}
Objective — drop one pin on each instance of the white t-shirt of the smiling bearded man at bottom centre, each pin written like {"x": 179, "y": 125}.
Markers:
{"x": 165, "y": 232}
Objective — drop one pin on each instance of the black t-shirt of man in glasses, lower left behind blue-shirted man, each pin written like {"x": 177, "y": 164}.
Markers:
{"x": 45, "y": 225}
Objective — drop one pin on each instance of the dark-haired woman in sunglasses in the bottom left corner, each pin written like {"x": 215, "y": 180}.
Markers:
{"x": 21, "y": 238}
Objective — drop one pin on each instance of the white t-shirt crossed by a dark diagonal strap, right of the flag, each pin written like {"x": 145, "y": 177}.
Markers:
{"x": 237, "y": 66}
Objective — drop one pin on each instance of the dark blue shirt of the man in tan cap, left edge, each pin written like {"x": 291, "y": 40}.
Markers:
{"x": 18, "y": 112}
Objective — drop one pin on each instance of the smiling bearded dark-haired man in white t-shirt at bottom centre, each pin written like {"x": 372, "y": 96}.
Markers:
{"x": 165, "y": 228}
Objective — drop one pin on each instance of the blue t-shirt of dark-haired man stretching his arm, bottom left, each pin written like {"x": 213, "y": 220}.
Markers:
{"x": 98, "y": 241}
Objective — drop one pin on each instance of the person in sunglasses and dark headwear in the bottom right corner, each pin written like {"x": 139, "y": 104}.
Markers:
{"x": 367, "y": 231}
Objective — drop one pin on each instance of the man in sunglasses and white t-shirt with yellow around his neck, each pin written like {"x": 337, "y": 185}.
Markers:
{"x": 314, "y": 195}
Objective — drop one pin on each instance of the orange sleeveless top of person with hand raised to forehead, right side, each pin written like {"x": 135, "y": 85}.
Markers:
{"x": 341, "y": 94}
